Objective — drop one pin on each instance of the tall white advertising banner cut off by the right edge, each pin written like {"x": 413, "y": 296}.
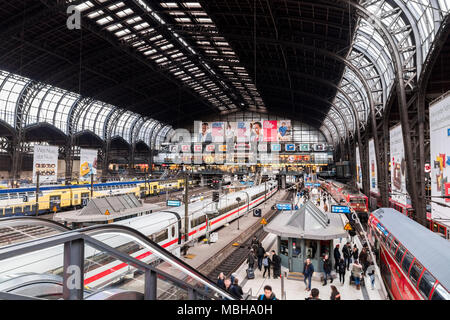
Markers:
{"x": 440, "y": 157}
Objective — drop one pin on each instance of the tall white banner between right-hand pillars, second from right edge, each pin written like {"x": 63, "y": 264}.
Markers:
{"x": 398, "y": 166}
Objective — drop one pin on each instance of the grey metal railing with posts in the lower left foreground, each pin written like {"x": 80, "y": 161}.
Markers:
{"x": 74, "y": 243}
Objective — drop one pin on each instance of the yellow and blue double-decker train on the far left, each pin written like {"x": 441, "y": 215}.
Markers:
{"x": 54, "y": 198}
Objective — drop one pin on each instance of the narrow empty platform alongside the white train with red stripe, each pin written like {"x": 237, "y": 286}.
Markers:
{"x": 201, "y": 252}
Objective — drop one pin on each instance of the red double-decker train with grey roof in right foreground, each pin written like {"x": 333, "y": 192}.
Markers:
{"x": 414, "y": 261}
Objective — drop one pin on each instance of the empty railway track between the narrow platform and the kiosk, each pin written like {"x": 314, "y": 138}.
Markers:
{"x": 228, "y": 259}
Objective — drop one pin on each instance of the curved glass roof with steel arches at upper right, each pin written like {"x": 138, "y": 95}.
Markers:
{"x": 413, "y": 25}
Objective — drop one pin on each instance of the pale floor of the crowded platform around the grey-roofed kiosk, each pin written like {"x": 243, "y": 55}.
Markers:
{"x": 294, "y": 289}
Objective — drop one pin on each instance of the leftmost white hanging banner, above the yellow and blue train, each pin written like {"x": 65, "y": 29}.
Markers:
{"x": 45, "y": 161}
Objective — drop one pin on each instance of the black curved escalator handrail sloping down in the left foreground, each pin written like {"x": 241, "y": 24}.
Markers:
{"x": 97, "y": 229}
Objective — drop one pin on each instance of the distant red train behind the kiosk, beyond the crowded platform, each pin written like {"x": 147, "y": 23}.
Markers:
{"x": 344, "y": 193}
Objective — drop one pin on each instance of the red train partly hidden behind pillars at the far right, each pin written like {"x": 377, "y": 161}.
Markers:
{"x": 407, "y": 210}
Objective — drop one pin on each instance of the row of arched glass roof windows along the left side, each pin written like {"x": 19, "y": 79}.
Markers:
{"x": 42, "y": 103}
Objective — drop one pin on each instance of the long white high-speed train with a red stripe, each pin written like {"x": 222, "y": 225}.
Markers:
{"x": 164, "y": 227}
